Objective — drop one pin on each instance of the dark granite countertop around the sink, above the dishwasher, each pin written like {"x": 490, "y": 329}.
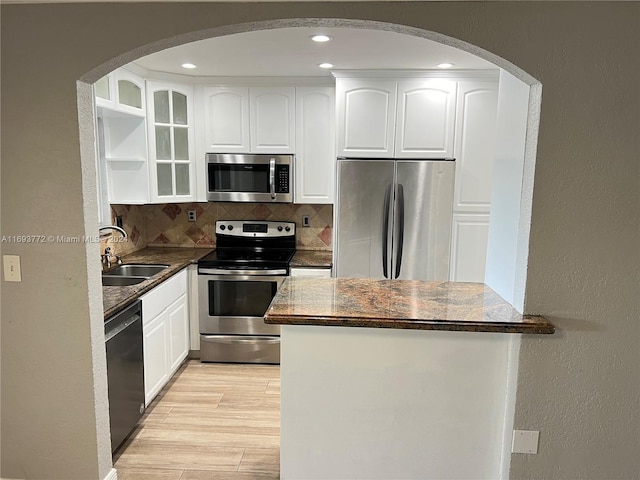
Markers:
{"x": 115, "y": 299}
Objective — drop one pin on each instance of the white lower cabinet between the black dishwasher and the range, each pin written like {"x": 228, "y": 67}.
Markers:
{"x": 165, "y": 325}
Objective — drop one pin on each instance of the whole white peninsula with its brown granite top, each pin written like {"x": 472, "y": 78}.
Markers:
{"x": 396, "y": 379}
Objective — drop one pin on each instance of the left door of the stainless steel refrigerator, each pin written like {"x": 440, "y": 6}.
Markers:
{"x": 364, "y": 213}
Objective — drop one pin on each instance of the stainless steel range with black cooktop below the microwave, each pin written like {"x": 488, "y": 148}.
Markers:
{"x": 236, "y": 284}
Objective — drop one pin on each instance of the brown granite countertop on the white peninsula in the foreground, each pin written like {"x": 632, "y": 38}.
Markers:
{"x": 401, "y": 304}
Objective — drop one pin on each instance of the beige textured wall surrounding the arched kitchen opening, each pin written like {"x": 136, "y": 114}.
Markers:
{"x": 580, "y": 388}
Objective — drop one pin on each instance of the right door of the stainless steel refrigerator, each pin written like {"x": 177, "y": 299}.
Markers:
{"x": 422, "y": 235}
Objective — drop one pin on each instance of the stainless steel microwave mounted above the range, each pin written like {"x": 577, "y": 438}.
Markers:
{"x": 249, "y": 178}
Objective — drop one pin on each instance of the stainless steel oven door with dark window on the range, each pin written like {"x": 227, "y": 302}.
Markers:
{"x": 235, "y": 304}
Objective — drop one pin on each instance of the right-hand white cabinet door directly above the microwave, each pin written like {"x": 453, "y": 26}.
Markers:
{"x": 272, "y": 119}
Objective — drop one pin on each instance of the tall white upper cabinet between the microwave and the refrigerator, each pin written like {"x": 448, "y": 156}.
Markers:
{"x": 315, "y": 155}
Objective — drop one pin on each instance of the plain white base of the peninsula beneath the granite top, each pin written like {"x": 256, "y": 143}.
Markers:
{"x": 377, "y": 403}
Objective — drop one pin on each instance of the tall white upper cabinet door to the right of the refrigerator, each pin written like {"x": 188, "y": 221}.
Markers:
{"x": 475, "y": 145}
